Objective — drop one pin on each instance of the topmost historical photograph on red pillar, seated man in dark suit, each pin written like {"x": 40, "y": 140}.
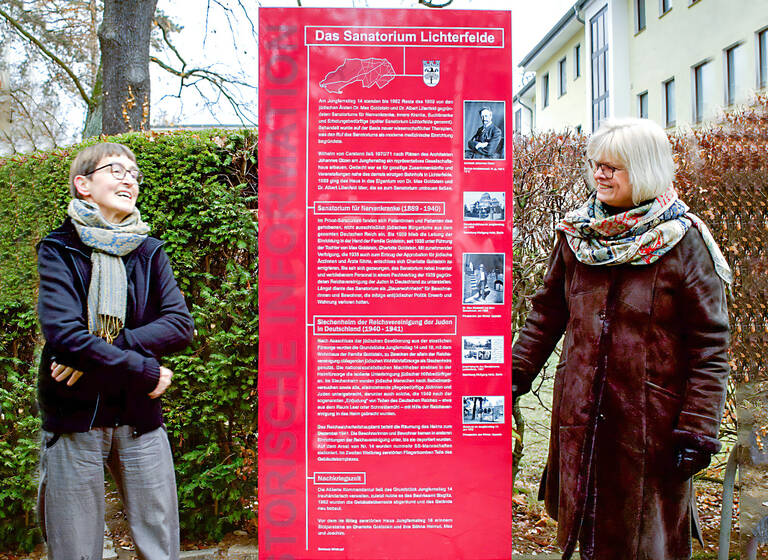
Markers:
{"x": 484, "y": 130}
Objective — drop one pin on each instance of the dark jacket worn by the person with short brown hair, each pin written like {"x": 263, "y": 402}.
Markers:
{"x": 157, "y": 323}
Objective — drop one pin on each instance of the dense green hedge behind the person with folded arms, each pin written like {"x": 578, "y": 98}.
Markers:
{"x": 200, "y": 197}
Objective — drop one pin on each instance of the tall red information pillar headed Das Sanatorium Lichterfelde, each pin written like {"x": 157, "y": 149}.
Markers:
{"x": 385, "y": 194}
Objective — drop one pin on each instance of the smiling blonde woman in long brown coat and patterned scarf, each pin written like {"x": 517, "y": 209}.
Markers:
{"x": 636, "y": 284}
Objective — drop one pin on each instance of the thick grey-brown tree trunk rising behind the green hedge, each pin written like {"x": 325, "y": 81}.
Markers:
{"x": 124, "y": 37}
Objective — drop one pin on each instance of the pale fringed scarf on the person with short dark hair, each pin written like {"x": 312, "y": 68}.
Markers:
{"x": 108, "y": 291}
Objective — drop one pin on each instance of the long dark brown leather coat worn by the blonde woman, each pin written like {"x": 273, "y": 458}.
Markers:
{"x": 643, "y": 369}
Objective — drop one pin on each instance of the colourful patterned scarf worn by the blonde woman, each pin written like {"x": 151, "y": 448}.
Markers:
{"x": 638, "y": 236}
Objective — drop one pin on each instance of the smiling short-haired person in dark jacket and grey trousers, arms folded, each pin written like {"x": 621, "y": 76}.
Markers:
{"x": 109, "y": 310}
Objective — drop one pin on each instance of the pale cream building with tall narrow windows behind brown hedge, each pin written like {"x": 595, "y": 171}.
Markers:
{"x": 678, "y": 62}
